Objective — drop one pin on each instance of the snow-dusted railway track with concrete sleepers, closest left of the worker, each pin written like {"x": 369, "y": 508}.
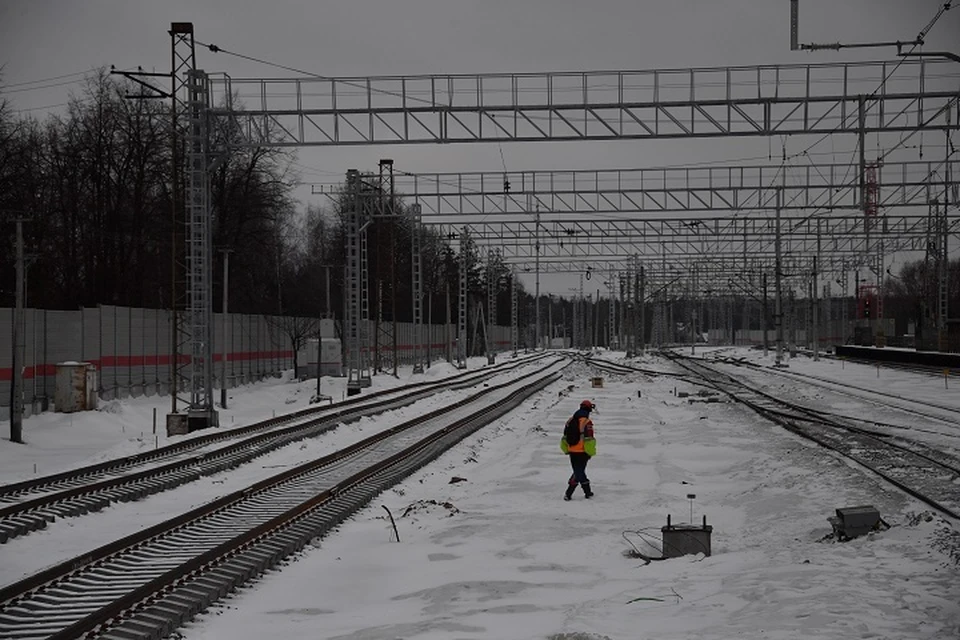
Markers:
{"x": 151, "y": 582}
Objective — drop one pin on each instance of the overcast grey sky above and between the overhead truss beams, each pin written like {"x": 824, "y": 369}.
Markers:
{"x": 48, "y": 38}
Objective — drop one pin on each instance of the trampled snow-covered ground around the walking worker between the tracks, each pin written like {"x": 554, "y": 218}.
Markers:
{"x": 499, "y": 554}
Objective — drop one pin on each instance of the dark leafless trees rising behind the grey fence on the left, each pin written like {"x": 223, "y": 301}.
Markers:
{"x": 95, "y": 184}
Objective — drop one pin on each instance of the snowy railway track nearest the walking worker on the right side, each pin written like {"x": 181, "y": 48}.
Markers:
{"x": 927, "y": 474}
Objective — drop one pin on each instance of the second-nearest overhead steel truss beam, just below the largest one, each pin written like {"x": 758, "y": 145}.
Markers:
{"x": 566, "y": 195}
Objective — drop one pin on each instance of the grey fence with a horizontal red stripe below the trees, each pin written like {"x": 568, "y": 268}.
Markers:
{"x": 131, "y": 349}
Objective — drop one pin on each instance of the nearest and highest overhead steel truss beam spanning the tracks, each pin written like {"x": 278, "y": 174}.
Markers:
{"x": 593, "y": 105}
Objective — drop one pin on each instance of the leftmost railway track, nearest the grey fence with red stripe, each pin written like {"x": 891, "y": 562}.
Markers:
{"x": 29, "y": 506}
